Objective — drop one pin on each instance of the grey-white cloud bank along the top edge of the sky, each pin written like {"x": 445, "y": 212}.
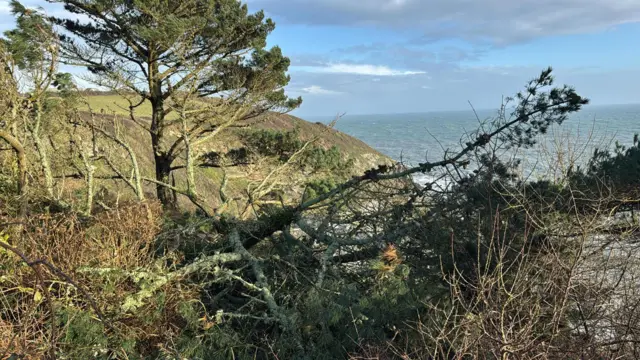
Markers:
{"x": 498, "y": 21}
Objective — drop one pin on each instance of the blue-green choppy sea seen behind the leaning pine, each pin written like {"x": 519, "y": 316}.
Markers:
{"x": 419, "y": 137}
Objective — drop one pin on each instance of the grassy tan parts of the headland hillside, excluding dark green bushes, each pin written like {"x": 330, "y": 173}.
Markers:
{"x": 363, "y": 157}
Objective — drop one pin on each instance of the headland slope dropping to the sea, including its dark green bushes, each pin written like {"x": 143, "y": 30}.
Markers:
{"x": 343, "y": 155}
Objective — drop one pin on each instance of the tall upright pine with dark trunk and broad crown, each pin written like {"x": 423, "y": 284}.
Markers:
{"x": 164, "y": 51}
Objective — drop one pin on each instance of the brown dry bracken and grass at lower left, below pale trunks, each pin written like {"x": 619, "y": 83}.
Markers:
{"x": 121, "y": 239}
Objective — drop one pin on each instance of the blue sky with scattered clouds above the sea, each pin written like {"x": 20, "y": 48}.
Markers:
{"x": 403, "y": 56}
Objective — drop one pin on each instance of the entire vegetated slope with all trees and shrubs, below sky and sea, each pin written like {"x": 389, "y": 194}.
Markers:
{"x": 191, "y": 226}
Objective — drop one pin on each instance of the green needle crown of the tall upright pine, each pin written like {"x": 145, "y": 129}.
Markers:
{"x": 130, "y": 32}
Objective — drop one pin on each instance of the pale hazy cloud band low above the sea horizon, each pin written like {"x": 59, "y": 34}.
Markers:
{"x": 484, "y": 89}
